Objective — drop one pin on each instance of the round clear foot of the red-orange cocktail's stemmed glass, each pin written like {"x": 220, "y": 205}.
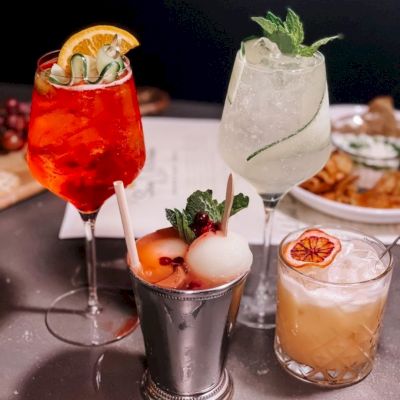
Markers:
{"x": 69, "y": 319}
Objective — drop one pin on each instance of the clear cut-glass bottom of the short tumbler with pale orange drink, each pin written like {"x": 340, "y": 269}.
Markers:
{"x": 329, "y": 378}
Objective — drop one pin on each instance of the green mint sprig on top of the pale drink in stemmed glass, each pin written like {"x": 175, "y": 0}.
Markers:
{"x": 289, "y": 34}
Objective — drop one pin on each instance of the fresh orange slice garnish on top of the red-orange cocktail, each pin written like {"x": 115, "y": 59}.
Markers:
{"x": 90, "y": 40}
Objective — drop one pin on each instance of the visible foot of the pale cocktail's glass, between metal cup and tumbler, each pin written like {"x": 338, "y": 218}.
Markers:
{"x": 257, "y": 313}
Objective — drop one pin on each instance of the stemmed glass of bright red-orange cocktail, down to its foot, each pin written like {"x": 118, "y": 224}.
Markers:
{"x": 84, "y": 134}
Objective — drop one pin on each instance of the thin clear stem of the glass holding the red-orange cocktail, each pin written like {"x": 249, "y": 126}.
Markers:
{"x": 89, "y": 220}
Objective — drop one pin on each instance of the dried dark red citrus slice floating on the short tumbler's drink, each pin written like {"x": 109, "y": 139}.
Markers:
{"x": 313, "y": 248}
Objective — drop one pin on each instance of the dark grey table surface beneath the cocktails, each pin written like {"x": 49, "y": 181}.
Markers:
{"x": 36, "y": 267}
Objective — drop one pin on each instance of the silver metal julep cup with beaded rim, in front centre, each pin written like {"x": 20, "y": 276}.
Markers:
{"x": 186, "y": 336}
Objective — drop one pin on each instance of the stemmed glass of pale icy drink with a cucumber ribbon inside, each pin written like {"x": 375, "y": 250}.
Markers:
{"x": 275, "y": 133}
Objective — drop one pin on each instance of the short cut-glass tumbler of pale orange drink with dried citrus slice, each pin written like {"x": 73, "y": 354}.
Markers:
{"x": 332, "y": 290}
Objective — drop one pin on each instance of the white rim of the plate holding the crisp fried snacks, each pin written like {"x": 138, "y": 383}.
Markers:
{"x": 346, "y": 211}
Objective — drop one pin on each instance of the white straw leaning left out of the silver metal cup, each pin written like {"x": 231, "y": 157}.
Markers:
{"x": 127, "y": 223}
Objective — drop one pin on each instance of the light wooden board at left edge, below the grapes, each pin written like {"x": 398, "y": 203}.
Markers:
{"x": 16, "y": 182}
